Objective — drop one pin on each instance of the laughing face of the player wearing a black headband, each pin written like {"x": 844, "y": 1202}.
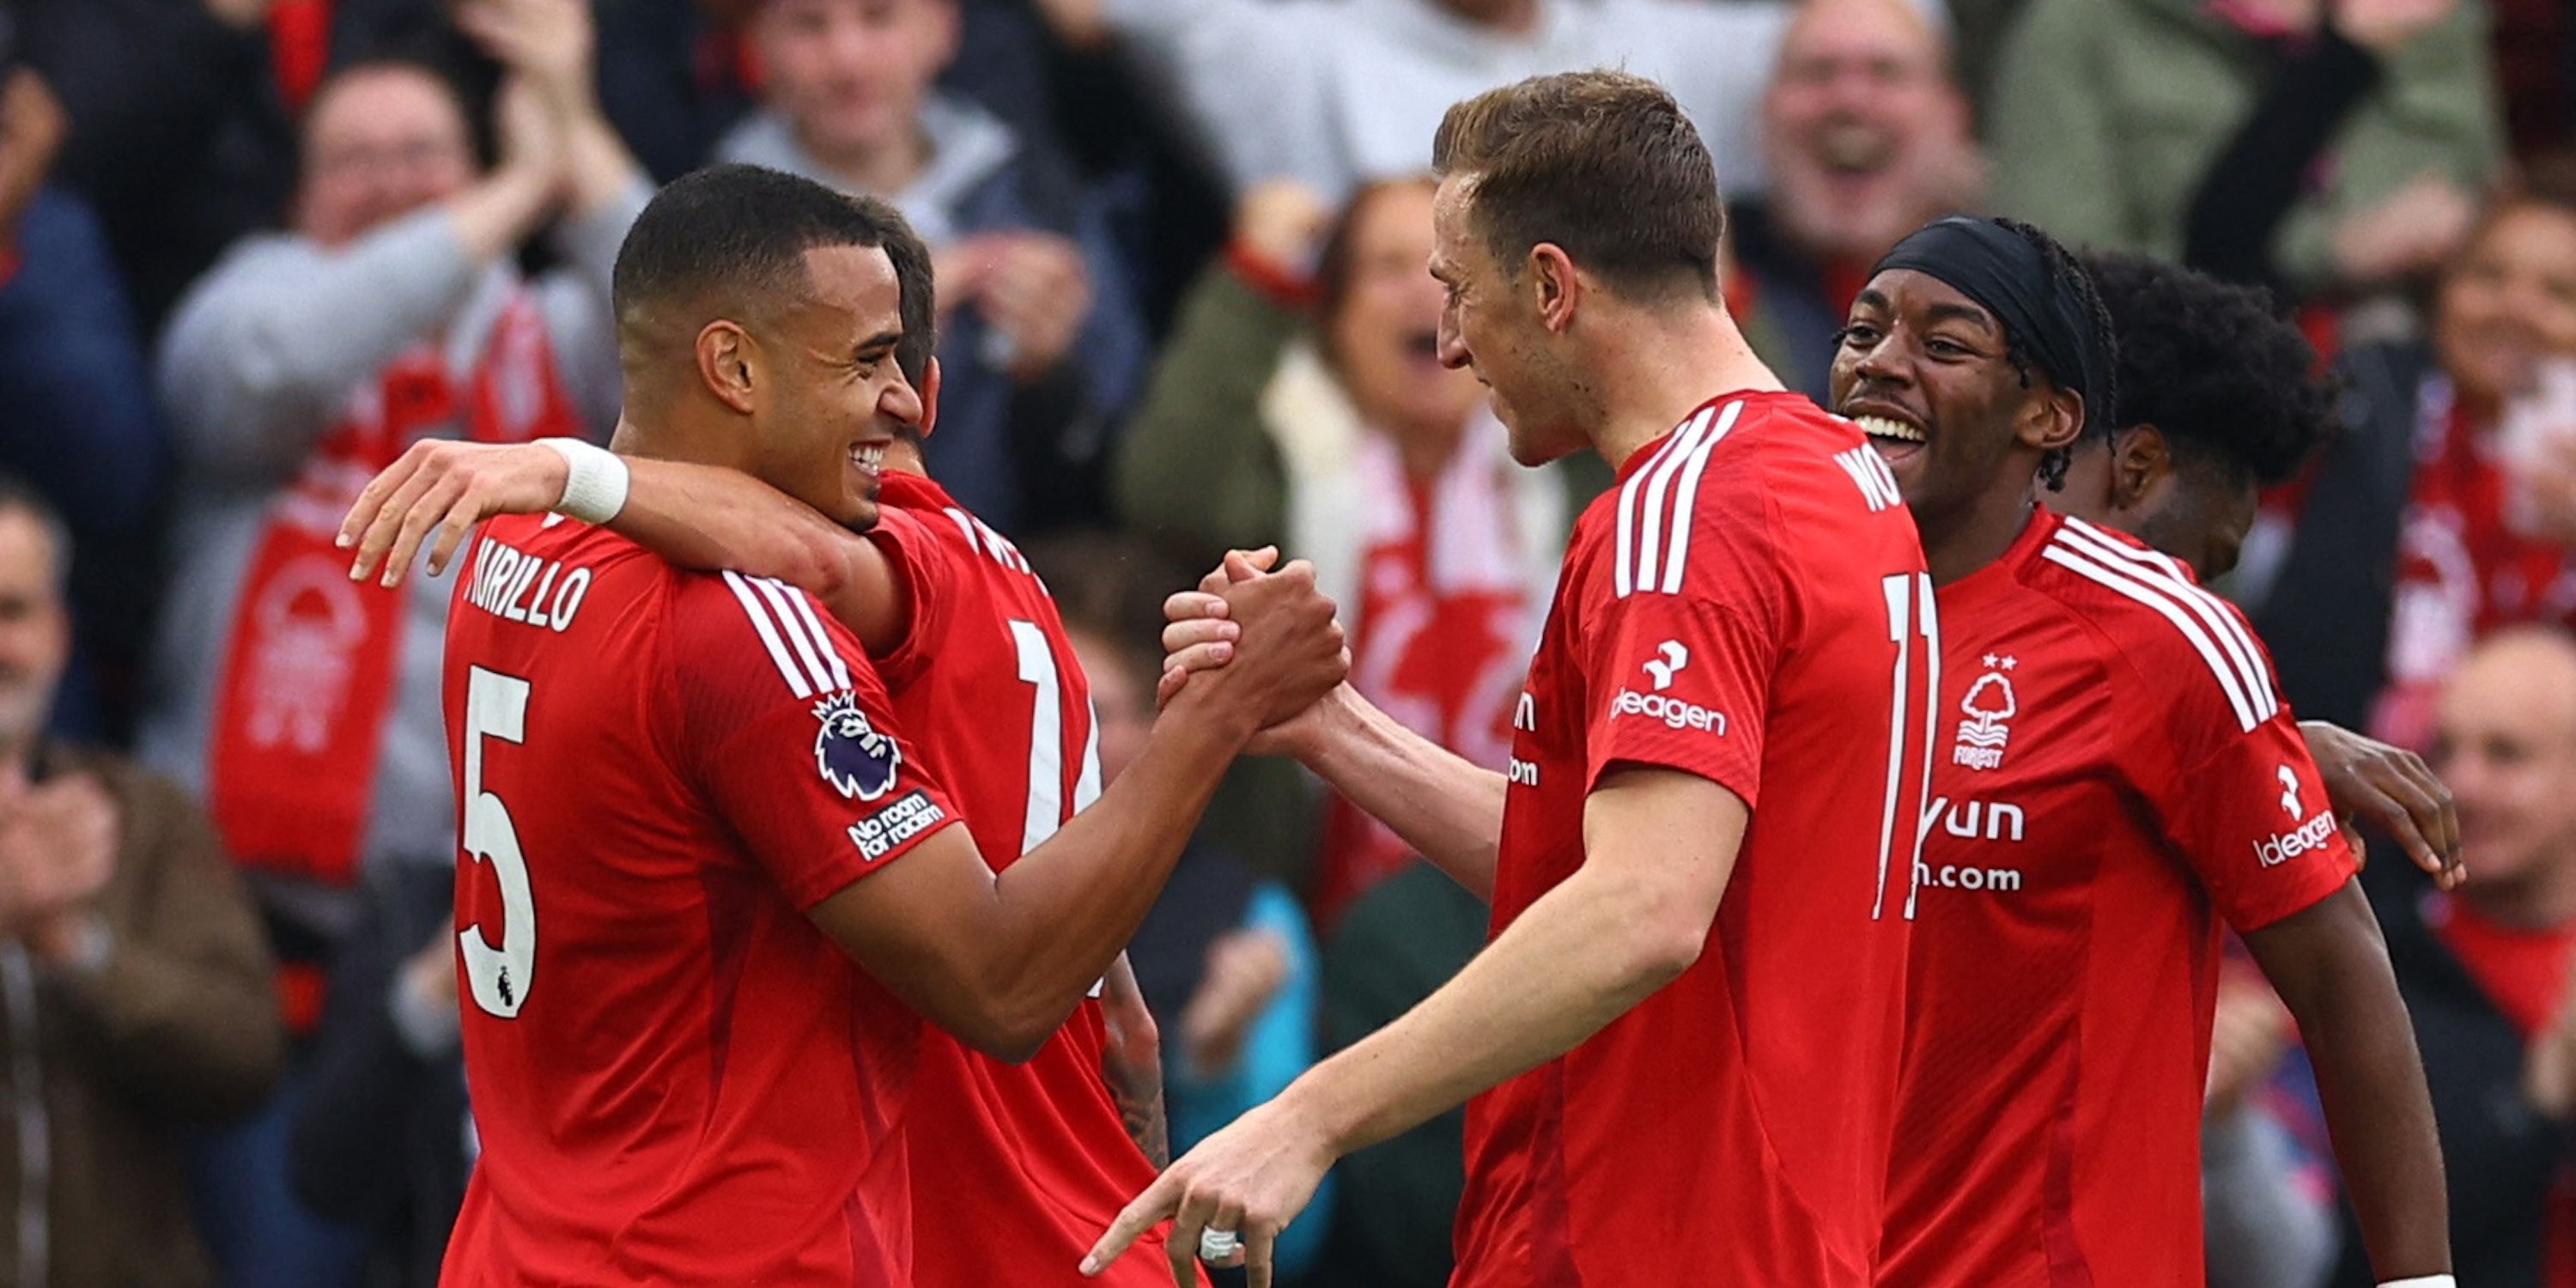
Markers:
{"x": 1926, "y": 372}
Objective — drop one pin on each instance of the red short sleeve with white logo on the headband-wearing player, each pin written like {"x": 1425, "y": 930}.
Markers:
{"x": 2253, "y": 820}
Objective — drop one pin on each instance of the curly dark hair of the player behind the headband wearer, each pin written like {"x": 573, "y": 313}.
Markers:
{"x": 2214, "y": 365}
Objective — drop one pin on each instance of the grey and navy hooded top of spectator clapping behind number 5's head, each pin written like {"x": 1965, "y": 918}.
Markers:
{"x": 1021, "y": 457}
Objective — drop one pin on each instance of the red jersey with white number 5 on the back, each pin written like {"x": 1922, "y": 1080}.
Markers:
{"x": 676, "y": 1075}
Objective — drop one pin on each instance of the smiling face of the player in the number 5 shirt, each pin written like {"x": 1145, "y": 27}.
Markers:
{"x": 836, "y": 395}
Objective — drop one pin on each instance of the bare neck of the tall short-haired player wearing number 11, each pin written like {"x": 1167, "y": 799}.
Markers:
{"x": 1665, "y": 365}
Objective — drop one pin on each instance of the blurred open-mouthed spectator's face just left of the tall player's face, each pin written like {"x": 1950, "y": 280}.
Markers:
{"x": 1385, "y": 326}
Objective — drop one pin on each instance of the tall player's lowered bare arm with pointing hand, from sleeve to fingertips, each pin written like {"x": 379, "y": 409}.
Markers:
{"x": 1660, "y": 849}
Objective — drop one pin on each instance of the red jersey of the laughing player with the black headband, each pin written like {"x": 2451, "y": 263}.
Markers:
{"x": 2119, "y": 774}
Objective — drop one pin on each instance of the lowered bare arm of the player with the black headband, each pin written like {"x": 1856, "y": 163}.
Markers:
{"x": 2353, "y": 1021}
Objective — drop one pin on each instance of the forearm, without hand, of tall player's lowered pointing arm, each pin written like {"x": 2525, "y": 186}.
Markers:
{"x": 1580, "y": 957}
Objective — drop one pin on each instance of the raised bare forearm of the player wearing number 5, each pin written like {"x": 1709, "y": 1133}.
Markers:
{"x": 1070, "y": 908}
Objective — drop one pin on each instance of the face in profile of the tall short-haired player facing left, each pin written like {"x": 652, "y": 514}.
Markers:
{"x": 1490, "y": 326}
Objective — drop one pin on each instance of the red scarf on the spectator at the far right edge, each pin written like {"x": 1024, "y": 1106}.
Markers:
{"x": 2461, "y": 568}
